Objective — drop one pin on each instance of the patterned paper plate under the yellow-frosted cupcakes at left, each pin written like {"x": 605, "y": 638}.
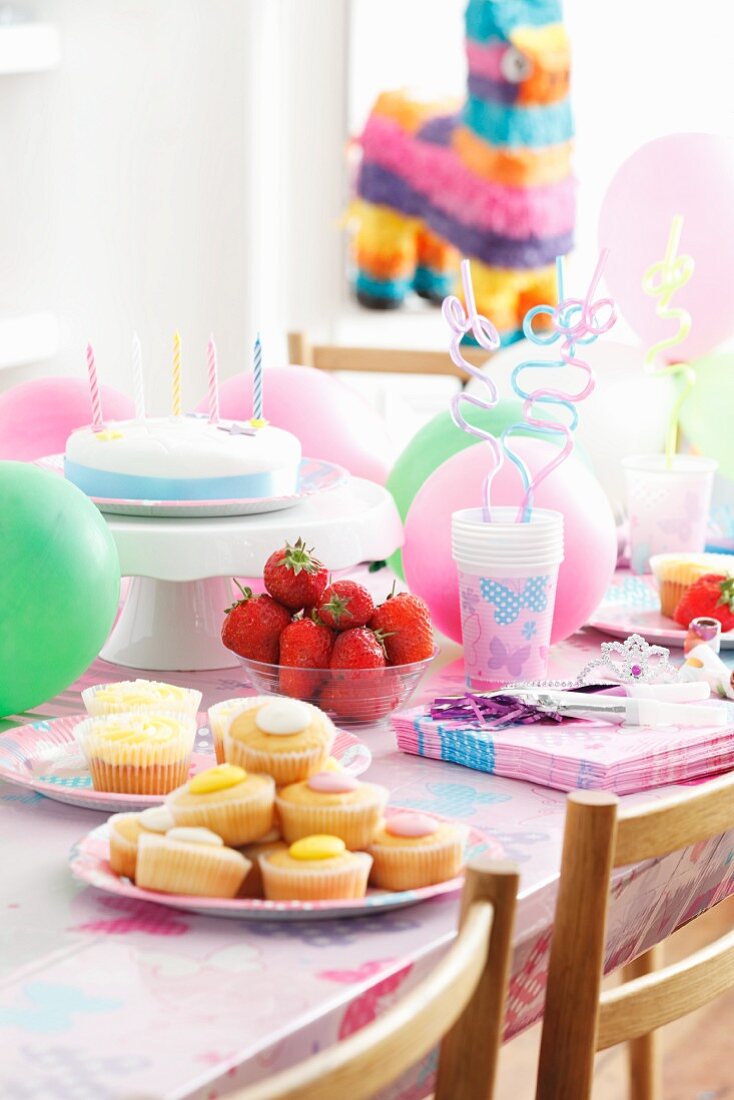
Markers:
{"x": 45, "y": 757}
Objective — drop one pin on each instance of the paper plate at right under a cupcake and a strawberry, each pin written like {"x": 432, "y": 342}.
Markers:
{"x": 633, "y": 607}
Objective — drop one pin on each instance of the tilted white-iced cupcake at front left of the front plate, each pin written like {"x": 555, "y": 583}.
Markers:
{"x": 190, "y": 862}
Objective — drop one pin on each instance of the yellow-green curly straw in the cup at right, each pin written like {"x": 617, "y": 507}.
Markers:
{"x": 661, "y": 281}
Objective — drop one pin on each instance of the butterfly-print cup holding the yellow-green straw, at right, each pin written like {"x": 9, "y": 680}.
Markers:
{"x": 669, "y": 508}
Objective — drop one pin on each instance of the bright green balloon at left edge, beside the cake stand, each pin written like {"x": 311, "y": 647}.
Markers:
{"x": 60, "y": 585}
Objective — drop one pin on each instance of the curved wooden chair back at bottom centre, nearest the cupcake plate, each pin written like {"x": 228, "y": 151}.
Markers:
{"x": 463, "y": 999}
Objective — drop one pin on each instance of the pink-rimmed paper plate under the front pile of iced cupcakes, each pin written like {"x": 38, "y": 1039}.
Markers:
{"x": 90, "y": 862}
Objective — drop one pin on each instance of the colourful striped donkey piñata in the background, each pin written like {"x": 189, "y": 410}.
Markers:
{"x": 490, "y": 180}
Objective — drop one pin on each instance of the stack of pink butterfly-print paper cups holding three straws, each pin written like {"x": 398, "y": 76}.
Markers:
{"x": 508, "y": 578}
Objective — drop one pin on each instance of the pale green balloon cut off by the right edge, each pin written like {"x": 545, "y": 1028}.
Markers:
{"x": 707, "y": 411}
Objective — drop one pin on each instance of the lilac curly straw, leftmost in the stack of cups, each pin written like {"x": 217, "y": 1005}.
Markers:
{"x": 462, "y": 323}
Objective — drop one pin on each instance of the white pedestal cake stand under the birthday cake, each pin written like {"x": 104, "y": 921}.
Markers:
{"x": 181, "y": 569}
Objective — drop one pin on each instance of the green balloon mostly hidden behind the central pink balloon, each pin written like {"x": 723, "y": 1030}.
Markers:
{"x": 436, "y": 443}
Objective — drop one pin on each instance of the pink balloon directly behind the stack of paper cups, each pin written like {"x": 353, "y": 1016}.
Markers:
{"x": 590, "y": 533}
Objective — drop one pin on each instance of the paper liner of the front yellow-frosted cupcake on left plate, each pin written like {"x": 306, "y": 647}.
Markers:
{"x": 149, "y": 768}
